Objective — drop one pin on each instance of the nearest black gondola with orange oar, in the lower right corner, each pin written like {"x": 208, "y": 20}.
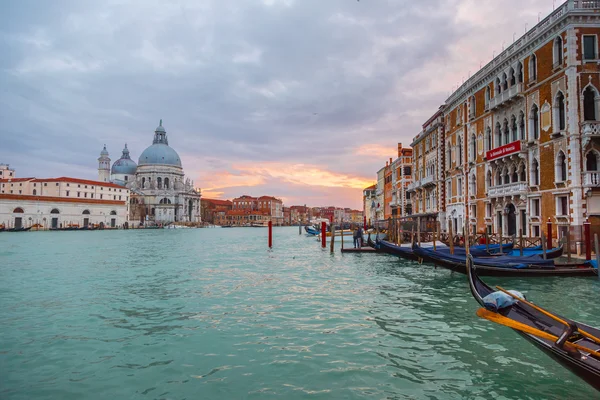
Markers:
{"x": 580, "y": 362}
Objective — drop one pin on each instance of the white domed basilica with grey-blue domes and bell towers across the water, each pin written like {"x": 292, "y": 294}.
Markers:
{"x": 159, "y": 190}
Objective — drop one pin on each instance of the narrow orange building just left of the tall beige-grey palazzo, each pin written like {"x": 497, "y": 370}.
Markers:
{"x": 401, "y": 179}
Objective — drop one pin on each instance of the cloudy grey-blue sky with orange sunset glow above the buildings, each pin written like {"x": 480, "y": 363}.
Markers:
{"x": 299, "y": 99}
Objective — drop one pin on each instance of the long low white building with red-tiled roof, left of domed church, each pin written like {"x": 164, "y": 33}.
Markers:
{"x": 58, "y": 202}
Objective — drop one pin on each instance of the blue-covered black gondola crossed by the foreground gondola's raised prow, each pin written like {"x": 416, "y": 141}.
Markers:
{"x": 507, "y": 265}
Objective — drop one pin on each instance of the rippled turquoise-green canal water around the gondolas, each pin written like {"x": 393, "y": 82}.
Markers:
{"x": 212, "y": 314}
